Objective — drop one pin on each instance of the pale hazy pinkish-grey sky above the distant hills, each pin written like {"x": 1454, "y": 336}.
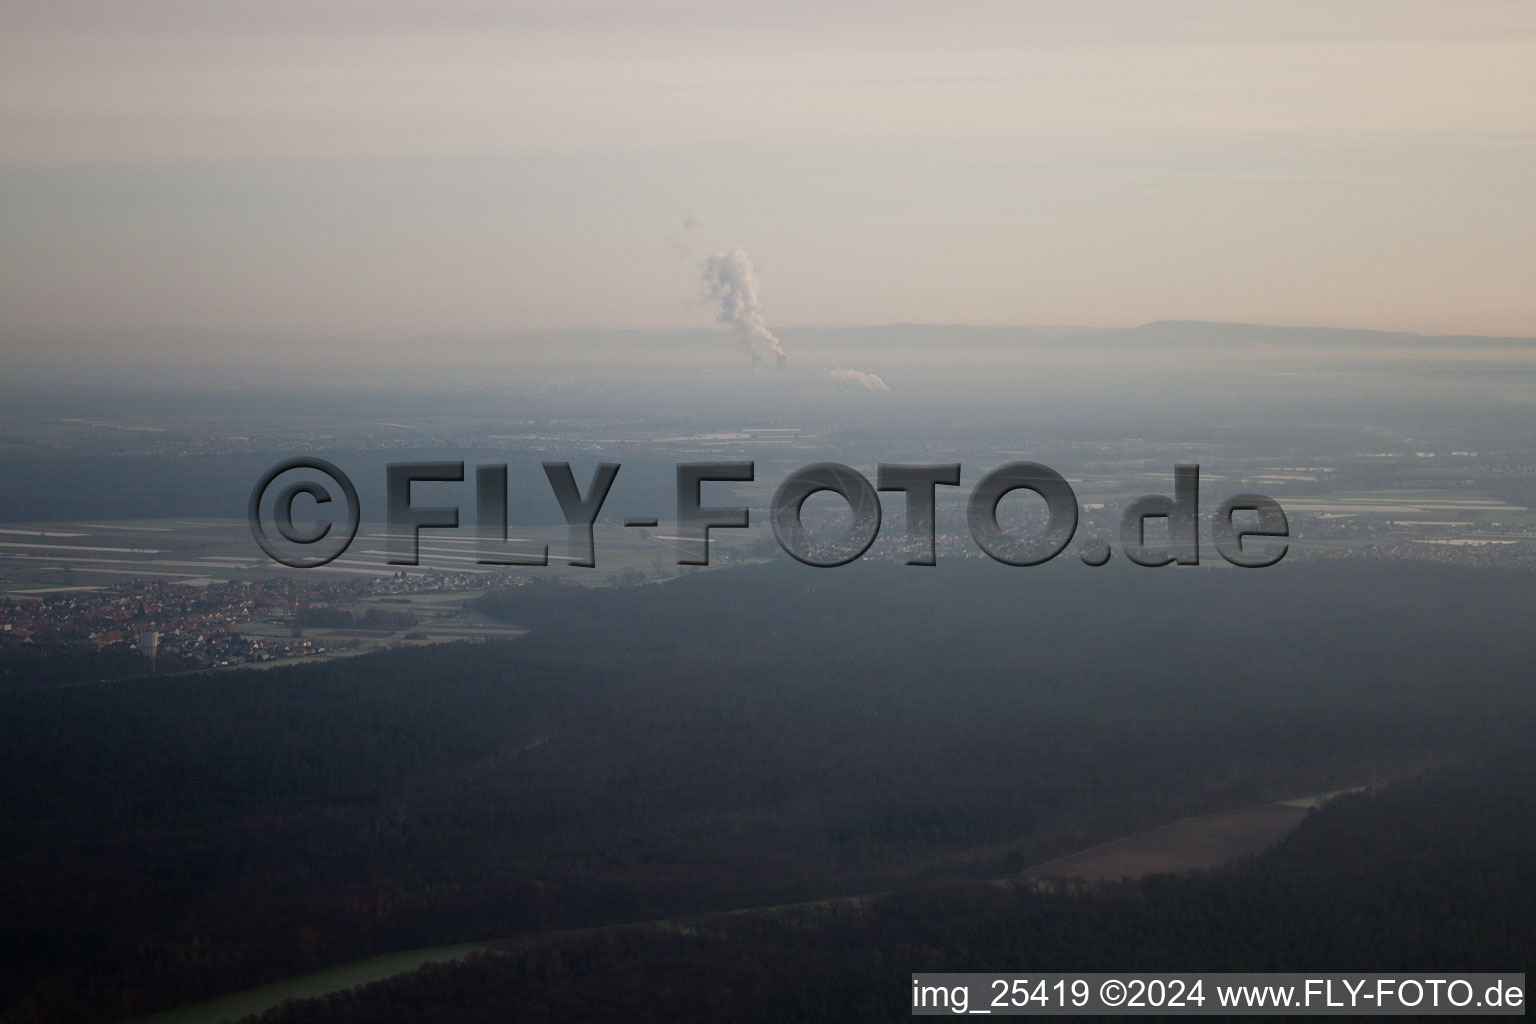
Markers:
{"x": 380, "y": 170}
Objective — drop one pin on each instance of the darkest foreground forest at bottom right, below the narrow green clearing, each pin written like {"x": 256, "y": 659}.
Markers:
{"x": 1435, "y": 876}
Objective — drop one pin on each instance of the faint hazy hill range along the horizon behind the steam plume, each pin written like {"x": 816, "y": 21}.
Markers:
{"x": 217, "y": 357}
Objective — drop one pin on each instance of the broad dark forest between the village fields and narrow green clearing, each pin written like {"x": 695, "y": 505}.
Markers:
{"x": 733, "y": 739}
